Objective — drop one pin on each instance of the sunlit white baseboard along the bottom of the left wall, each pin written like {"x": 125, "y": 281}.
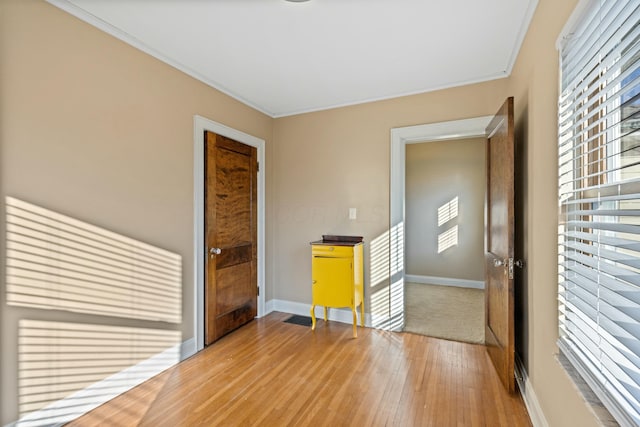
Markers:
{"x": 89, "y": 398}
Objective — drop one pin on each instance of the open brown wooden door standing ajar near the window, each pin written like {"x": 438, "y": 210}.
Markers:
{"x": 499, "y": 329}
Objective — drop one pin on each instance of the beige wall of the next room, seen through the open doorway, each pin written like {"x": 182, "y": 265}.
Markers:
{"x": 436, "y": 173}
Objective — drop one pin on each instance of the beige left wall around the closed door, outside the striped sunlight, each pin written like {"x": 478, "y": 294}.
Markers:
{"x": 95, "y": 129}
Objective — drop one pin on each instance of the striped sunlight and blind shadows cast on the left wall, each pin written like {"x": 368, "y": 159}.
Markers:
{"x": 58, "y": 263}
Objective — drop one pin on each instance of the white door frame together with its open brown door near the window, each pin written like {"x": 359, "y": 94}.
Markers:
{"x": 499, "y": 225}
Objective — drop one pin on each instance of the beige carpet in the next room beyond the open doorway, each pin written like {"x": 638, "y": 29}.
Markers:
{"x": 445, "y": 312}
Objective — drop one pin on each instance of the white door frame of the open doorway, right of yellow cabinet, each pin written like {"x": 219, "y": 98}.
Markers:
{"x": 400, "y": 138}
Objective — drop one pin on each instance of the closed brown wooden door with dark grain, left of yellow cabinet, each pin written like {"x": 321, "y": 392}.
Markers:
{"x": 231, "y": 235}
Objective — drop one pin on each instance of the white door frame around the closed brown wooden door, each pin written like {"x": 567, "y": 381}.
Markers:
{"x": 200, "y": 125}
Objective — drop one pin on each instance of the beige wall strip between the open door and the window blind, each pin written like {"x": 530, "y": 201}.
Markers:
{"x": 534, "y": 84}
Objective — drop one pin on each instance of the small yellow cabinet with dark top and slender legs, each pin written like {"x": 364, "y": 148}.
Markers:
{"x": 337, "y": 276}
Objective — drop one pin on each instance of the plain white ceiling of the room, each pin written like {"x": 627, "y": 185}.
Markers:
{"x": 285, "y": 58}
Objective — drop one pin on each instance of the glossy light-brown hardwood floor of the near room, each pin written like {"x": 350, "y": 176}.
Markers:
{"x": 271, "y": 373}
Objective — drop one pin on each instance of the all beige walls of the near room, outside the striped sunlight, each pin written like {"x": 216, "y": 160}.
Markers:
{"x": 93, "y": 128}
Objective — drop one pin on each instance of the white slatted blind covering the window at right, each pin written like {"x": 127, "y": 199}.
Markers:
{"x": 599, "y": 193}
